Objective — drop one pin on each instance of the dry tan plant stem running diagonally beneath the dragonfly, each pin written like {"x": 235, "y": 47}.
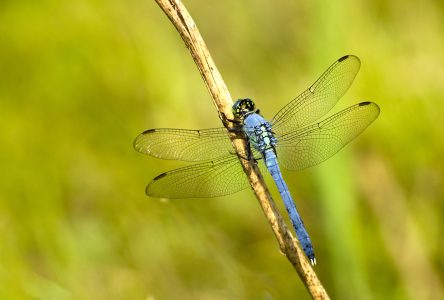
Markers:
{"x": 185, "y": 25}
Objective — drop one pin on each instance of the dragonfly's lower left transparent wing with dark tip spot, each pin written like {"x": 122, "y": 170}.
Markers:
{"x": 204, "y": 180}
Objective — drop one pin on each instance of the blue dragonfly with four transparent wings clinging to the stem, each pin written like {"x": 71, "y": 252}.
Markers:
{"x": 294, "y": 139}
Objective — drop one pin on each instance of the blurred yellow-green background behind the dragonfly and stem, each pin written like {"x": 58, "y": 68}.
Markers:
{"x": 80, "y": 80}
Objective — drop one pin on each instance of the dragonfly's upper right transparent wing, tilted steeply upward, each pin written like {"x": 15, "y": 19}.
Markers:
{"x": 319, "y": 98}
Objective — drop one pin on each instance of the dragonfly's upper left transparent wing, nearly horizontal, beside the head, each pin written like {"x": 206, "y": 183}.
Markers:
{"x": 183, "y": 144}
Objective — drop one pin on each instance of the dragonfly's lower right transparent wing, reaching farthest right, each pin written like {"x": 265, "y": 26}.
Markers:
{"x": 314, "y": 144}
